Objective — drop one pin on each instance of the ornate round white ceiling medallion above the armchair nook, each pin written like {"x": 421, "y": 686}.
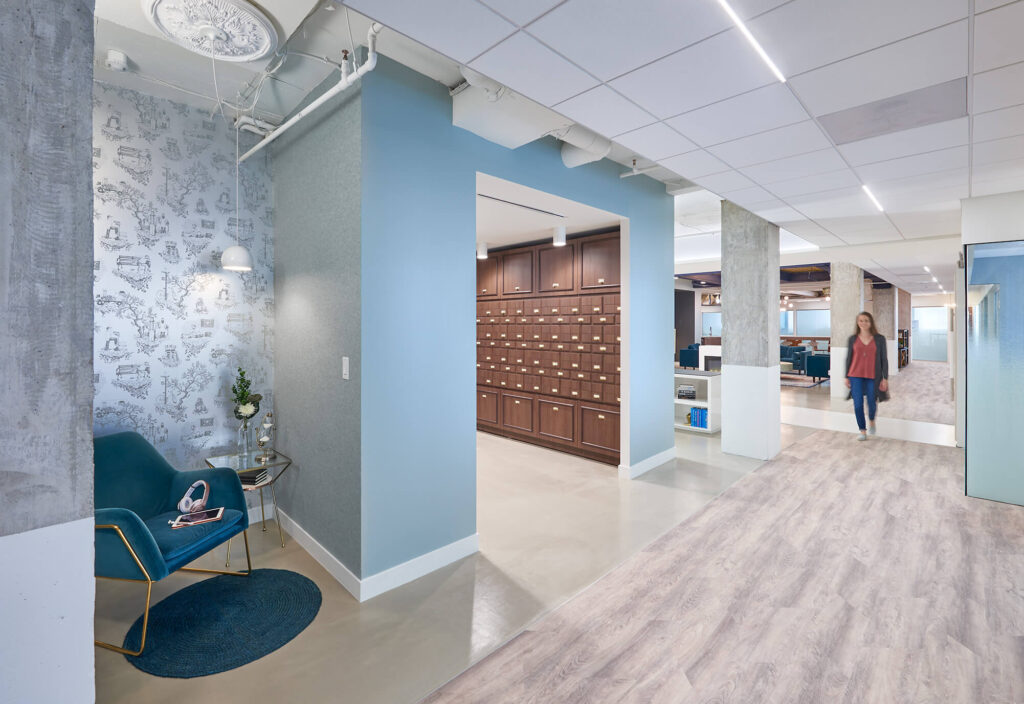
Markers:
{"x": 226, "y": 30}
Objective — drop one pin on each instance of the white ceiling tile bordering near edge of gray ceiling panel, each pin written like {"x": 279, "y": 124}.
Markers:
{"x": 916, "y": 63}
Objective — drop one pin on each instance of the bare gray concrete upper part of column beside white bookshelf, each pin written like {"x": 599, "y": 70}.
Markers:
{"x": 750, "y": 289}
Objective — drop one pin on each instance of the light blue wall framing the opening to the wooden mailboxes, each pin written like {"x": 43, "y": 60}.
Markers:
{"x": 418, "y": 311}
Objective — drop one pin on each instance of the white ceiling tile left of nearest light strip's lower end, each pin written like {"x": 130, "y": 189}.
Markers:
{"x": 714, "y": 70}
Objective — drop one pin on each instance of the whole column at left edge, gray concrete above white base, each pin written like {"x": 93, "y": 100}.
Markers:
{"x": 48, "y": 527}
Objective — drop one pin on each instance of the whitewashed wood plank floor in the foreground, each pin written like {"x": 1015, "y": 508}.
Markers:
{"x": 840, "y": 573}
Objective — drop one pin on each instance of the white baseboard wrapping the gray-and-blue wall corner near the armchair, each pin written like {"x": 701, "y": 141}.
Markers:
{"x": 376, "y": 585}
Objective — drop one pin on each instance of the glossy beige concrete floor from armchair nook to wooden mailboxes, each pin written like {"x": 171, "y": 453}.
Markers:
{"x": 550, "y": 525}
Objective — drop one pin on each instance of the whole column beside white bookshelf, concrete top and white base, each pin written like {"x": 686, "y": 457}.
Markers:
{"x": 751, "y": 400}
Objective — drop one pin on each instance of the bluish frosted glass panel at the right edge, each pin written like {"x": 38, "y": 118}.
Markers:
{"x": 996, "y": 372}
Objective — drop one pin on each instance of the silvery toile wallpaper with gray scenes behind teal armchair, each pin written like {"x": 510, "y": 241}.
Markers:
{"x": 172, "y": 327}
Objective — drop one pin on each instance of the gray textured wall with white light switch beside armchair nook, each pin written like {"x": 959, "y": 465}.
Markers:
{"x": 318, "y": 190}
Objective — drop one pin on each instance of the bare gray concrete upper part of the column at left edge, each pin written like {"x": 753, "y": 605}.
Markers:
{"x": 47, "y": 239}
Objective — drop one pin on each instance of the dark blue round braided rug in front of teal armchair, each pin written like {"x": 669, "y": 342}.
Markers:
{"x": 224, "y": 623}
